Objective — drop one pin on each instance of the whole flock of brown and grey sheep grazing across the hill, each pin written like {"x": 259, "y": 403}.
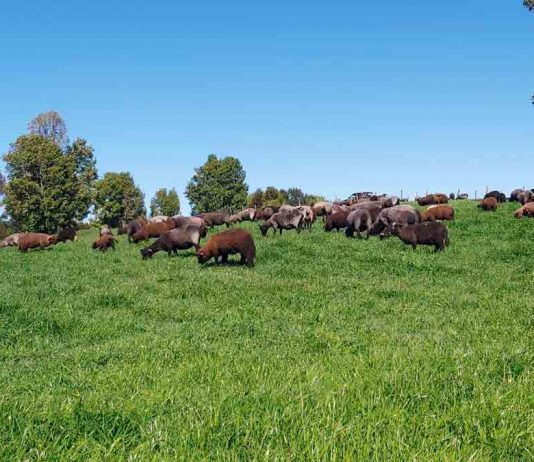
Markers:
{"x": 360, "y": 215}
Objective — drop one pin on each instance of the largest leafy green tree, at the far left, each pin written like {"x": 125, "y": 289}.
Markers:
{"x": 45, "y": 188}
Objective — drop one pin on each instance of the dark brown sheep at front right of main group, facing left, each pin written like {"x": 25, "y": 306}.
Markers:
{"x": 429, "y": 233}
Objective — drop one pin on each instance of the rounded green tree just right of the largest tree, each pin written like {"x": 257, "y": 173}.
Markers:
{"x": 118, "y": 199}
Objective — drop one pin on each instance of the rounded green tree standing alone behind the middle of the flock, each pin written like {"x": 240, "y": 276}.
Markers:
{"x": 219, "y": 184}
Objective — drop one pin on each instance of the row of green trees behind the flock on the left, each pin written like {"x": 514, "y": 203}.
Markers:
{"x": 52, "y": 182}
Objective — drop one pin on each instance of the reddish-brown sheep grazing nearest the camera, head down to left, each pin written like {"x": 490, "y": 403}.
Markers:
{"x": 227, "y": 243}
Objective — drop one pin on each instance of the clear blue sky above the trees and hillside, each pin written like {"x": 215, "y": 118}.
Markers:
{"x": 333, "y": 97}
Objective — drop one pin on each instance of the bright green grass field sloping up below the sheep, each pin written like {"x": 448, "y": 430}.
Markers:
{"x": 329, "y": 349}
